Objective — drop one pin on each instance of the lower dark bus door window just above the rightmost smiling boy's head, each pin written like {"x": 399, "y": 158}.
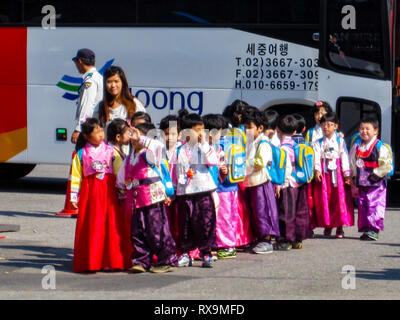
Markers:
{"x": 351, "y": 110}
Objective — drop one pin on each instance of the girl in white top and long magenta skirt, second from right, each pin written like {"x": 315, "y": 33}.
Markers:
{"x": 333, "y": 203}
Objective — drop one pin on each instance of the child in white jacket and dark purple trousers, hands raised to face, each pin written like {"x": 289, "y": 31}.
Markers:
{"x": 190, "y": 172}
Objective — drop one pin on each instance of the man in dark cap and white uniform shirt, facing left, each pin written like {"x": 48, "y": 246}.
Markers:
{"x": 91, "y": 90}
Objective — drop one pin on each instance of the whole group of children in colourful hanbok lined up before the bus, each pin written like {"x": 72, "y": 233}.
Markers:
{"x": 201, "y": 186}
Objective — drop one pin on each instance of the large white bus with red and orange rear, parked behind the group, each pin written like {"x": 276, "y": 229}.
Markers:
{"x": 198, "y": 54}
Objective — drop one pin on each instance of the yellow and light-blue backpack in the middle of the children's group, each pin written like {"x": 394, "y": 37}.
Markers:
{"x": 234, "y": 146}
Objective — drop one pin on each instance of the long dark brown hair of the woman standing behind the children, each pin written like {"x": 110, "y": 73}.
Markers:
{"x": 108, "y": 99}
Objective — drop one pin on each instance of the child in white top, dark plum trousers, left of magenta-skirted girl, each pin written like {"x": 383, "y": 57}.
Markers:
{"x": 293, "y": 209}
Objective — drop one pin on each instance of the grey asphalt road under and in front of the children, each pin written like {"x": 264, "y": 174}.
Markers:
{"x": 315, "y": 272}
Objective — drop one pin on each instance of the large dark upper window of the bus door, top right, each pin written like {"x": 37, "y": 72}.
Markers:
{"x": 354, "y": 36}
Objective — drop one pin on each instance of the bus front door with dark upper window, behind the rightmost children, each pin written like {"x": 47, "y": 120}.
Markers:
{"x": 355, "y": 62}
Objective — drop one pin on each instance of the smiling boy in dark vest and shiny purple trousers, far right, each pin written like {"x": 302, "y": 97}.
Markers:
{"x": 371, "y": 161}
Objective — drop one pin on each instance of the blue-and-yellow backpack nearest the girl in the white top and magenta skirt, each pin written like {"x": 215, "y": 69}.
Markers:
{"x": 304, "y": 169}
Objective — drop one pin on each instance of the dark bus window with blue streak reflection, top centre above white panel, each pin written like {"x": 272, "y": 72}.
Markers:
{"x": 197, "y": 11}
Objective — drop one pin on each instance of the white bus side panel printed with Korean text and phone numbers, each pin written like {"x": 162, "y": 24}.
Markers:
{"x": 203, "y": 70}
